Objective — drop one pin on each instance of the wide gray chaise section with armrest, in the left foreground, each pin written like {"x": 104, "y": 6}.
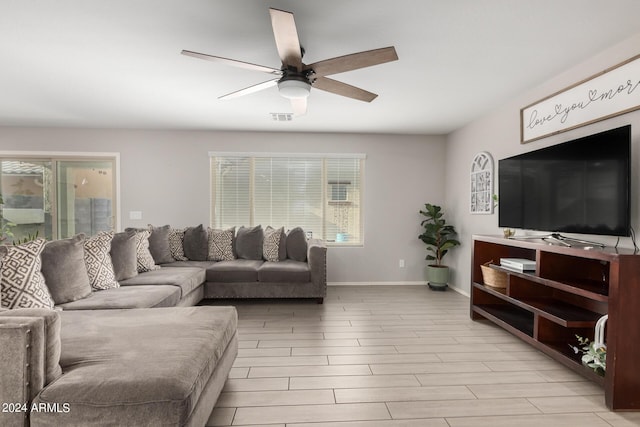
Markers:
{"x": 164, "y": 366}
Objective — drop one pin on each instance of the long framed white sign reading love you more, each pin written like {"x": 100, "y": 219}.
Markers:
{"x": 612, "y": 92}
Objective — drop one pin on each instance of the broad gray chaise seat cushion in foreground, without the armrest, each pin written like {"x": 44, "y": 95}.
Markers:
{"x": 150, "y": 374}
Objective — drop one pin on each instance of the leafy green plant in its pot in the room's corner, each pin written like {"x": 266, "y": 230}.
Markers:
{"x": 439, "y": 238}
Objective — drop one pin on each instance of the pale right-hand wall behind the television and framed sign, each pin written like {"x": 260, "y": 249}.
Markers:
{"x": 499, "y": 133}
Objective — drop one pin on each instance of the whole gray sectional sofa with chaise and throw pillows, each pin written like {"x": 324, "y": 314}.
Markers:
{"x": 132, "y": 349}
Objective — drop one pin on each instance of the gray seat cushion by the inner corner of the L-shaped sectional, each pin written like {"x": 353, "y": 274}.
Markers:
{"x": 185, "y": 278}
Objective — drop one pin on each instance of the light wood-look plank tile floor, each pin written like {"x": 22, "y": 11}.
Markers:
{"x": 390, "y": 356}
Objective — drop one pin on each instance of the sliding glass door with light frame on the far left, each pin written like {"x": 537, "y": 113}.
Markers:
{"x": 56, "y": 197}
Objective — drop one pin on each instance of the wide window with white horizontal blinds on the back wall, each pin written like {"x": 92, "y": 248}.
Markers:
{"x": 320, "y": 193}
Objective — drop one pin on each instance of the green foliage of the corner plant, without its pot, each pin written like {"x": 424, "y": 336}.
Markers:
{"x": 437, "y": 234}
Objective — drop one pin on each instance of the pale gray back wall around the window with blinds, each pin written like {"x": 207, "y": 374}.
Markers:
{"x": 165, "y": 174}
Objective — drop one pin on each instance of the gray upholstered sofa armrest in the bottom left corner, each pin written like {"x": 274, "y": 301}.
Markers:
{"x": 29, "y": 360}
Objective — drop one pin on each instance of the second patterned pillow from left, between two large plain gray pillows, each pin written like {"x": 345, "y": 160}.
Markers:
{"x": 98, "y": 261}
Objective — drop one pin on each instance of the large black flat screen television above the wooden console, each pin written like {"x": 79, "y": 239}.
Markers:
{"x": 581, "y": 186}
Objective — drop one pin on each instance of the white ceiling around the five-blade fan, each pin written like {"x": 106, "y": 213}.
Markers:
{"x": 117, "y": 63}
